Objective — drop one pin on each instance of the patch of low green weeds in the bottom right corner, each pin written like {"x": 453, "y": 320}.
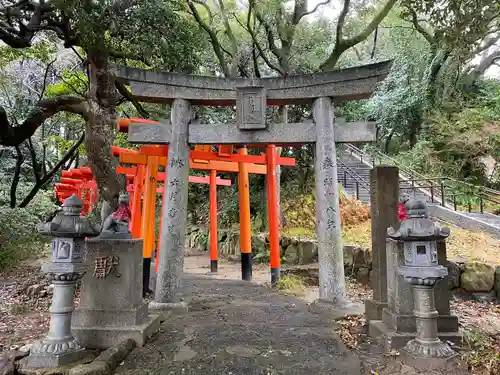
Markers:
{"x": 483, "y": 354}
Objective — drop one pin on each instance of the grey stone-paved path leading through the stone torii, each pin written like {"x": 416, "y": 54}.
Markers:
{"x": 240, "y": 328}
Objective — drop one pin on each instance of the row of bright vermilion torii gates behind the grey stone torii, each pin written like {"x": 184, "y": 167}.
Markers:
{"x": 144, "y": 182}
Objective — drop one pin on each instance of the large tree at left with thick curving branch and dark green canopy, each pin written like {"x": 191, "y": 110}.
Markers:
{"x": 146, "y": 32}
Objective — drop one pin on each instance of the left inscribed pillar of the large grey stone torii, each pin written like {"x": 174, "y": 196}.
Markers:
{"x": 174, "y": 215}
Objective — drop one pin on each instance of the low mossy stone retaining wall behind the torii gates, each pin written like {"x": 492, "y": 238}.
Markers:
{"x": 466, "y": 279}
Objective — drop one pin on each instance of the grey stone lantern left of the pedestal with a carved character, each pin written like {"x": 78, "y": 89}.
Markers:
{"x": 68, "y": 230}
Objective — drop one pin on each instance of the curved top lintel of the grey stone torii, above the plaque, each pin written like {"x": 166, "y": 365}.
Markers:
{"x": 343, "y": 84}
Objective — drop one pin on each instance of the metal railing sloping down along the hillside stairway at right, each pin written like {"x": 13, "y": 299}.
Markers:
{"x": 446, "y": 191}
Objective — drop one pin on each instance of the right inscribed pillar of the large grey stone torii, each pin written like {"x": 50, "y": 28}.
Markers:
{"x": 330, "y": 253}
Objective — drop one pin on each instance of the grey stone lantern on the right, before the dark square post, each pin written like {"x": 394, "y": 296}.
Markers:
{"x": 418, "y": 236}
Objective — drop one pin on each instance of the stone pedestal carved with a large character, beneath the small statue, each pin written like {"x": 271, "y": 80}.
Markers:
{"x": 111, "y": 307}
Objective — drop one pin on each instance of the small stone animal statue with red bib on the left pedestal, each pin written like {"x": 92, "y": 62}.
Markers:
{"x": 115, "y": 224}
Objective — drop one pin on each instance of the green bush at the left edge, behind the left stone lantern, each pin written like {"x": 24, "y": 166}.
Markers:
{"x": 18, "y": 237}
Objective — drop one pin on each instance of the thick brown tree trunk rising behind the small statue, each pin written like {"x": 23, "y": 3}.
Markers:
{"x": 99, "y": 128}
